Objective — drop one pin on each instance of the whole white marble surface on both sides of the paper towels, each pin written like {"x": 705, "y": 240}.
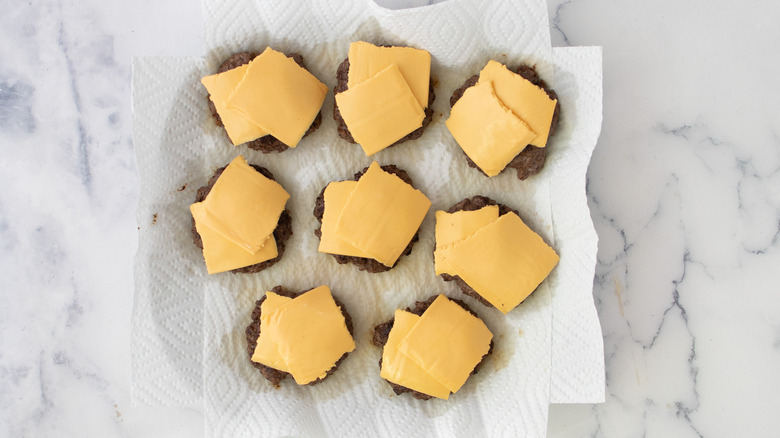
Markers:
{"x": 684, "y": 188}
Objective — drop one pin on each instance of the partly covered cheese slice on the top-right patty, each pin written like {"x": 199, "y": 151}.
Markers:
{"x": 526, "y": 100}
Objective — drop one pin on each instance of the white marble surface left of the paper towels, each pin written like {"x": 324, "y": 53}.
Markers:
{"x": 67, "y": 225}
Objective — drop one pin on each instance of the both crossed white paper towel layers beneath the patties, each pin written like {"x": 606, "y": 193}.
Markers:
{"x": 178, "y": 148}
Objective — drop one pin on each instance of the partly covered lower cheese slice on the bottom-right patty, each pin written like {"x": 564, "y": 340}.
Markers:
{"x": 401, "y": 370}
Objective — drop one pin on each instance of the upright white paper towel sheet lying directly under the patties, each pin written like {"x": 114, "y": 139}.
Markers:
{"x": 512, "y": 392}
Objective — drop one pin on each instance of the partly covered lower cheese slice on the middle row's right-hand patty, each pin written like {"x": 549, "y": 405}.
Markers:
{"x": 454, "y": 227}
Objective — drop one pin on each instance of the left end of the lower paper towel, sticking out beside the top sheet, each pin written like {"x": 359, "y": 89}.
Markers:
{"x": 167, "y": 327}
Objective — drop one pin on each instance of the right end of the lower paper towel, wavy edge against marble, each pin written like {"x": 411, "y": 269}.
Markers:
{"x": 577, "y": 347}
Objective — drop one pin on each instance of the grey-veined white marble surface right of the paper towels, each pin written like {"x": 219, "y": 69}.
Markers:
{"x": 684, "y": 192}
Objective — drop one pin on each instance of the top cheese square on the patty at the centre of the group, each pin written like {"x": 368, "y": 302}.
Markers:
{"x": 382, "y": 215}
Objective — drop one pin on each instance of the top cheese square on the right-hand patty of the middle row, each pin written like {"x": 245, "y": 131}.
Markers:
{"x": 504, "y": 261}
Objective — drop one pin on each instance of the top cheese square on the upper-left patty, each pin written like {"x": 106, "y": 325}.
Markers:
{"x": 279, "y": 96}
